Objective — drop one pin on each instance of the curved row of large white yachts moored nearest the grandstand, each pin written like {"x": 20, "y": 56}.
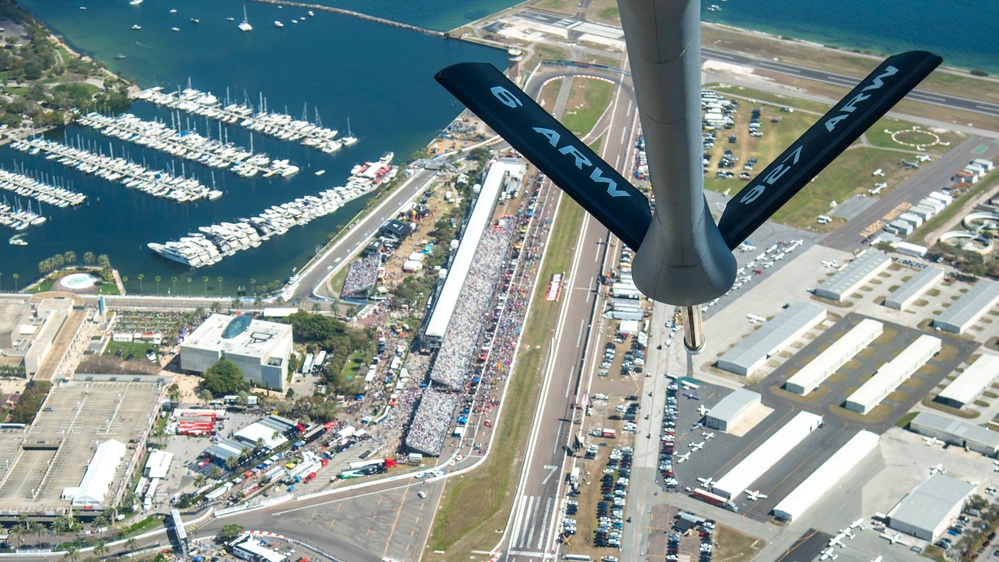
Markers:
{"x": 212, "y": 243}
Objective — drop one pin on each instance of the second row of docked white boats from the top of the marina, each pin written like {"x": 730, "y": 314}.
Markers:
{"x": 188, "y": 144}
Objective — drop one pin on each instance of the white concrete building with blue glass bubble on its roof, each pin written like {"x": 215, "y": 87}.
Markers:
{"x": 260, "y": 348}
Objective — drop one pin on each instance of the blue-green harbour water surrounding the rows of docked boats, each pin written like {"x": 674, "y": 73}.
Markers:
{"x": 379, "y": 76}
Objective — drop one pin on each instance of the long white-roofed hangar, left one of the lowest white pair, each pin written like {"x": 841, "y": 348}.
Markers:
{"x": 764, "y": 457}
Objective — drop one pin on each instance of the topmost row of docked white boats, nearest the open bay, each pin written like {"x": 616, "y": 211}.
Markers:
{"x": 277, "y": 125}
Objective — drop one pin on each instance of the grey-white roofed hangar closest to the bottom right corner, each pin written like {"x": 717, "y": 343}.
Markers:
{"x": 929, "y": 509}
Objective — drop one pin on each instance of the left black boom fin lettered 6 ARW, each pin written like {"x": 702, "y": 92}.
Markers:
{"x": 537, "y": 135}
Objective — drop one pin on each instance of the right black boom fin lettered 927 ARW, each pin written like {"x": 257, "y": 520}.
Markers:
{"x": 823, "y": 142}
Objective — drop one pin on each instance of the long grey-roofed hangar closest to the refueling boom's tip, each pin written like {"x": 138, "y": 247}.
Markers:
{"x": 771, "y": 338}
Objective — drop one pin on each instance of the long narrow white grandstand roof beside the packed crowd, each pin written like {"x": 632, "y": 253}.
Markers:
{"x": 477, "y": 223}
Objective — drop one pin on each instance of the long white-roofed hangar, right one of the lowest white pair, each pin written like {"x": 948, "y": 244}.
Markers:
{"x": 826, "y": 476}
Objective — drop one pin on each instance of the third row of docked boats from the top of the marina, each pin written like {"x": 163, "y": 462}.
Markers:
{"x": 157, "y": 183}
